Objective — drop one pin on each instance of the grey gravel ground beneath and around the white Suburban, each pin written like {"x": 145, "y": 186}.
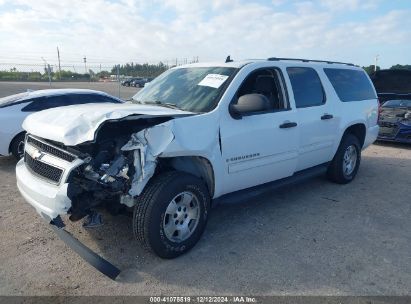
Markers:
{"x": 314, "y": 238}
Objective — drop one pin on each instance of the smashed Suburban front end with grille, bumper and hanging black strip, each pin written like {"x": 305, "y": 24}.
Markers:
{"x": 59, "y": 180}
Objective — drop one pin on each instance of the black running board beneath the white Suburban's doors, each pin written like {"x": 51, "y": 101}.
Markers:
{"x": 249, "y": 193}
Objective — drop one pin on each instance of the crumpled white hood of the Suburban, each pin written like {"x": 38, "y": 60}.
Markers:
{"x": 76, "y": 124}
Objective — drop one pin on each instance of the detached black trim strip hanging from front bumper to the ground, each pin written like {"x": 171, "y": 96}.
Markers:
{"x": 102, "y": 265}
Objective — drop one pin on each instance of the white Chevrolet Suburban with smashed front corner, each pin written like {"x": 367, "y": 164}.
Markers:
{"x": 198, "y": 134}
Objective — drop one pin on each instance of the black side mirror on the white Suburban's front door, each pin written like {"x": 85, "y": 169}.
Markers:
{"x": 249, "y": 103}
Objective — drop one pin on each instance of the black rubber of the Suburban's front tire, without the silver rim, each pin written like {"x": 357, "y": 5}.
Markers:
{"x": 149, "y": 218}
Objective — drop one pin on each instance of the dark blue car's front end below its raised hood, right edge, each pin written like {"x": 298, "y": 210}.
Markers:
{"x": 395, "y": 121}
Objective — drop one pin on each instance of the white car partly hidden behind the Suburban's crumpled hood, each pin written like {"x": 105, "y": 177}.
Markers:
{"x": 15, "y": 108}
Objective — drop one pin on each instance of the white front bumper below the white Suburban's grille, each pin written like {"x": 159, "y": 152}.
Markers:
{"x": 48, "y": 199}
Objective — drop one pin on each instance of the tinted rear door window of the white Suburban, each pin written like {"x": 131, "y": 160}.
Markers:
{"x": 307, "y": 87}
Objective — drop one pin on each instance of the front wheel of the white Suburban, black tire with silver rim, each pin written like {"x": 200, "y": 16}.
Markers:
{"x": 171, "y": 214}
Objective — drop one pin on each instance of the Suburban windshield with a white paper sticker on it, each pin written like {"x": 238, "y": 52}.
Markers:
{"x": 189, "y": 89}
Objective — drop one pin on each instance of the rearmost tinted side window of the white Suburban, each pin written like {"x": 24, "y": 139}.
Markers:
{"x": 350, "y": 85}
